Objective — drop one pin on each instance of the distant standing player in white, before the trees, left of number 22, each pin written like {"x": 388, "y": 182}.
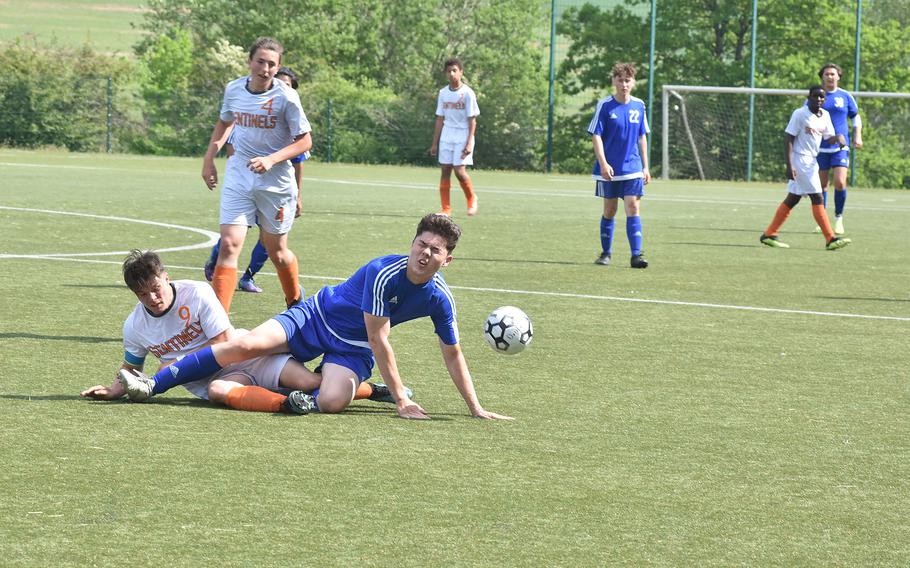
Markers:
{"x": 453, "y": 136}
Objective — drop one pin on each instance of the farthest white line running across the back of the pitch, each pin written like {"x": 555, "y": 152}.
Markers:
{"x": 573, "y": 193}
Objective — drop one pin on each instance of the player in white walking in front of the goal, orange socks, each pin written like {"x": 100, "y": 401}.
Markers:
{"x": 808, "y": 126}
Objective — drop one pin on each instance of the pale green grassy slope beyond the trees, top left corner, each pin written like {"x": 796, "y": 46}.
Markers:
{"x": 107, "y": 26}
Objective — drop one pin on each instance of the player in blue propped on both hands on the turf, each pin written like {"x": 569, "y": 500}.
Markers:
{"x": 348, "y": 325}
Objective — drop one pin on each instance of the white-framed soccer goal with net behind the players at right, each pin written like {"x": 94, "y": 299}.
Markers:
{"x": 706, "y": 134}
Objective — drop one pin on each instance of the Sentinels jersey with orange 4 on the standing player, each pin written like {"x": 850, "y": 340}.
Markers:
{"x": 263, "y": 122}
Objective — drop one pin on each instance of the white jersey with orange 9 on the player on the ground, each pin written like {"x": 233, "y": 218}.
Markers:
{"x": 195, "y": 317}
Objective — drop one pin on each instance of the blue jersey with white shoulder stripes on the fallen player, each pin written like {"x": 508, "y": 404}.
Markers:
{"x": 381, "y": 288}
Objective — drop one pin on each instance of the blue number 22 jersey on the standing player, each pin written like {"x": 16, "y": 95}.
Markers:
{"x": 620, "y": 126}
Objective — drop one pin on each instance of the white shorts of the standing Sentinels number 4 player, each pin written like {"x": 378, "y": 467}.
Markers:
{"x": 273, "y": 195}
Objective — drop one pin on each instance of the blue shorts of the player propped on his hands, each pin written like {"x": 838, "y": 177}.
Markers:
{"x": 308, "y": 338}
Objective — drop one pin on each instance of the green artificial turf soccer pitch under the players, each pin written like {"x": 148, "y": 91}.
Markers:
{"x": 730, "y": 405}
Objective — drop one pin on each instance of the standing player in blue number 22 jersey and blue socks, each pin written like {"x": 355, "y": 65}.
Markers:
{"x": 619, "y": 132}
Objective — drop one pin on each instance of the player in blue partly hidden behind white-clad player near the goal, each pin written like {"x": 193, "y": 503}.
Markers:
{"x": 831, "y": 157}
